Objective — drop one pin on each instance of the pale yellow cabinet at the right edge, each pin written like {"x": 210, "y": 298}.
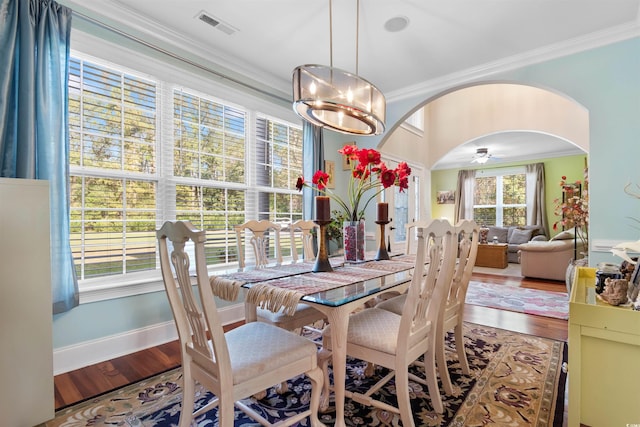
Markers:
{"x": 604, "y": 358}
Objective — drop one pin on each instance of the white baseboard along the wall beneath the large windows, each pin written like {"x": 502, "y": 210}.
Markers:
{"x": 87, "y": 353}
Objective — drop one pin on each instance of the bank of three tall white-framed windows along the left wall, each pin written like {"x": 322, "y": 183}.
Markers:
{"x": 143, "y": 151}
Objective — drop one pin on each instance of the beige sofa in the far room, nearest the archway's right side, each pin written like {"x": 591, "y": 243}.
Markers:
{"x": 549, "y": 260}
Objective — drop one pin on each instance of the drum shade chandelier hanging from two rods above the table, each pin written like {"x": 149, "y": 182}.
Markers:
{"x": 336, "y": 99}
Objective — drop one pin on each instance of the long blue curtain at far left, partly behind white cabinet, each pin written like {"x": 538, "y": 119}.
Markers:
{"x": 34, "y": 45}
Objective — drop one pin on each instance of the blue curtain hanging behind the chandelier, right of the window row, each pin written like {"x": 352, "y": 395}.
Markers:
{"x": 313, "y": 159}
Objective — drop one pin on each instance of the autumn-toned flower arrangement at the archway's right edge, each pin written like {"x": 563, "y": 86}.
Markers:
{"x": 573, "y": 208}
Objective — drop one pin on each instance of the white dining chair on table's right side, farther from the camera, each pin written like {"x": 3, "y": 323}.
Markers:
{"x": 452, "y": 317}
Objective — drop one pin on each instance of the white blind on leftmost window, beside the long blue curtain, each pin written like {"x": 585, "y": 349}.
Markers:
{"x": 112, "y": 122}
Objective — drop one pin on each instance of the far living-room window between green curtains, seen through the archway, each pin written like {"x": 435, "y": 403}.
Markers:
{"x": 500, "y": 198}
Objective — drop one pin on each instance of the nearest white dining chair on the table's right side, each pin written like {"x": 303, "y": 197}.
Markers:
{"x": 395, "y": 341}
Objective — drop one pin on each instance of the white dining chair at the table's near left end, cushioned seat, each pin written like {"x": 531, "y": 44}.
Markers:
{"x": 233, "y": 365}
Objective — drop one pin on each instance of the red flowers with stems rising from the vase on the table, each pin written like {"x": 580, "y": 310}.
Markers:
{"x": 368, "y": 172}
